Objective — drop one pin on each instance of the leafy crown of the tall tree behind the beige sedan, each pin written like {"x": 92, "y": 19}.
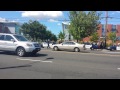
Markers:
{"x": 83, "y": 24}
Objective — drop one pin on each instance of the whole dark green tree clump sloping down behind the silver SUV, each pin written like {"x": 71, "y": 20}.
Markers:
{"x": 37, "y": 31}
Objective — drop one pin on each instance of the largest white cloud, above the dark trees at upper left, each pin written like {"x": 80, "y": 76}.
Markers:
{"x": 42, "y": 14}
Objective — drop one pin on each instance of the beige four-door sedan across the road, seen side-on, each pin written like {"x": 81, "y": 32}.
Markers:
{"x": 68, "y": 45}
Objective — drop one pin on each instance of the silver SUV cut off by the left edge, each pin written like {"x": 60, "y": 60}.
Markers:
{"x": 18, "y": 44}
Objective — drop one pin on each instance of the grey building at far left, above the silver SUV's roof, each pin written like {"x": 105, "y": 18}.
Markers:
{"x": 9, "y": 27}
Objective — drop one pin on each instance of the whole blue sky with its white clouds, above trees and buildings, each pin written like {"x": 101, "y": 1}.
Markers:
{"x": 52, "y": 19}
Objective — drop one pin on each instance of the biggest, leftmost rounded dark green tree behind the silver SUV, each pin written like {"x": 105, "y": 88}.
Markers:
{"x": 34, "y": 29}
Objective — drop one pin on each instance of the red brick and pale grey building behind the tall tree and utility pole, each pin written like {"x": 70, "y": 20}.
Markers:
{"x": 101, "y": 31}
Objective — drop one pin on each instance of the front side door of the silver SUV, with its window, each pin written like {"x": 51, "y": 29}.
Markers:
{"x": 10, "y": 45}
